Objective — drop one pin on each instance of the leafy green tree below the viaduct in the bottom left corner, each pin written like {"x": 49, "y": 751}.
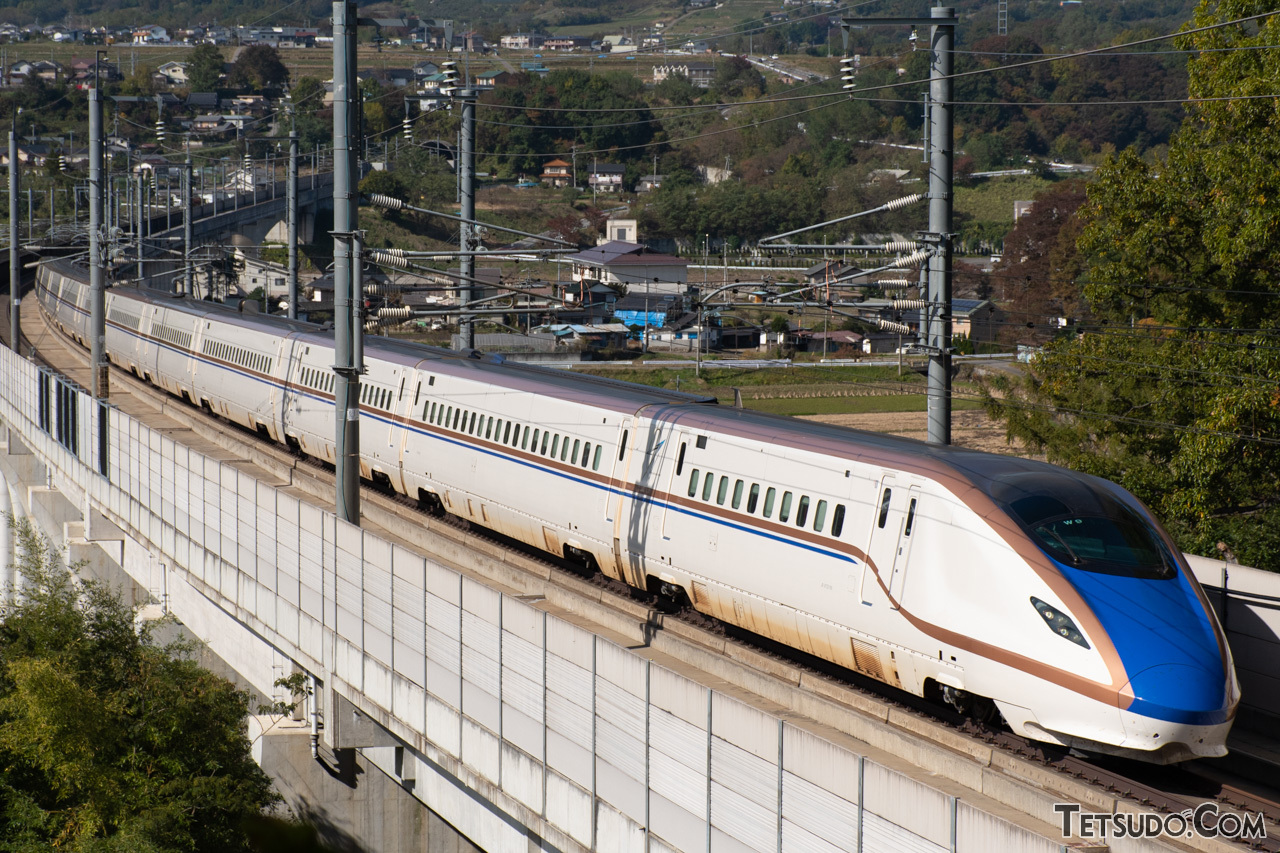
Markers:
{"x": 108, "y": 740}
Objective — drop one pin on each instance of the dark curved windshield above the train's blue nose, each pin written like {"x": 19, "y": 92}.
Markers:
{"x": 1086, "y": 527}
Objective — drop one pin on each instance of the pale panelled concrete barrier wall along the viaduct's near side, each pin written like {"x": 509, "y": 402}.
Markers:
{"x": 514, "y": 720}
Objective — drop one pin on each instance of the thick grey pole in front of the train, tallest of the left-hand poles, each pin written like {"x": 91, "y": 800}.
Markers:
{"x": 346, "y": 309}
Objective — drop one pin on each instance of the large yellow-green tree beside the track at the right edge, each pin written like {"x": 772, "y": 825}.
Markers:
{"x": 1173, "y": 391}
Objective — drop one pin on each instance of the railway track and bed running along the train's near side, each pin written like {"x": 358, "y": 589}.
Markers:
{"x": 1165, "y": 790}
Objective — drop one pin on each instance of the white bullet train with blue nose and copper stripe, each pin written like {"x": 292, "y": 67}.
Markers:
{"x": 988, "y": 581}
